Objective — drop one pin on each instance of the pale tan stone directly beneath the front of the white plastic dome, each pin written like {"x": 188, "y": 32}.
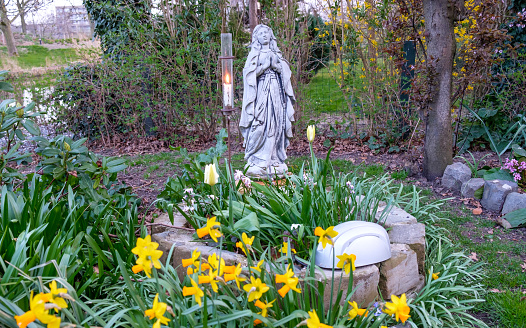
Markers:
{"x": 365, "y": 281}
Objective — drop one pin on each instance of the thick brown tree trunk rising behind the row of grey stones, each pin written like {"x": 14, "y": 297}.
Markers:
{"x": 438, "y": 148}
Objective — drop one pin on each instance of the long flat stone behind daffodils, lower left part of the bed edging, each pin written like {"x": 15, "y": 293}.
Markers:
{"x": 183, "y": 246}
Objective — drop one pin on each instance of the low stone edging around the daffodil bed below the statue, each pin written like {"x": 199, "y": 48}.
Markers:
{"x": 402, "y": 273}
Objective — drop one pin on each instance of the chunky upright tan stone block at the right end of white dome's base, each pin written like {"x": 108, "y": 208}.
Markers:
{"x": 399, "y": 274}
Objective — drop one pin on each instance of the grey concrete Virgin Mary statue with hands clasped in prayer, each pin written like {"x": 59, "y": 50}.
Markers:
{"x": 267, "y": 112}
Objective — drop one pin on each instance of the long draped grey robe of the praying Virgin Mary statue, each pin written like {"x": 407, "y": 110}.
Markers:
{"x": 267, "y": 113}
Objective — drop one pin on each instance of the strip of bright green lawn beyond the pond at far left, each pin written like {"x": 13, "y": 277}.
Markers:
{"x": 37, "y": 56}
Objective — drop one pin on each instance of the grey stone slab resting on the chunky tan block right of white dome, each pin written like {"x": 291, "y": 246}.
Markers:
{"x": 413, "y": 235}
